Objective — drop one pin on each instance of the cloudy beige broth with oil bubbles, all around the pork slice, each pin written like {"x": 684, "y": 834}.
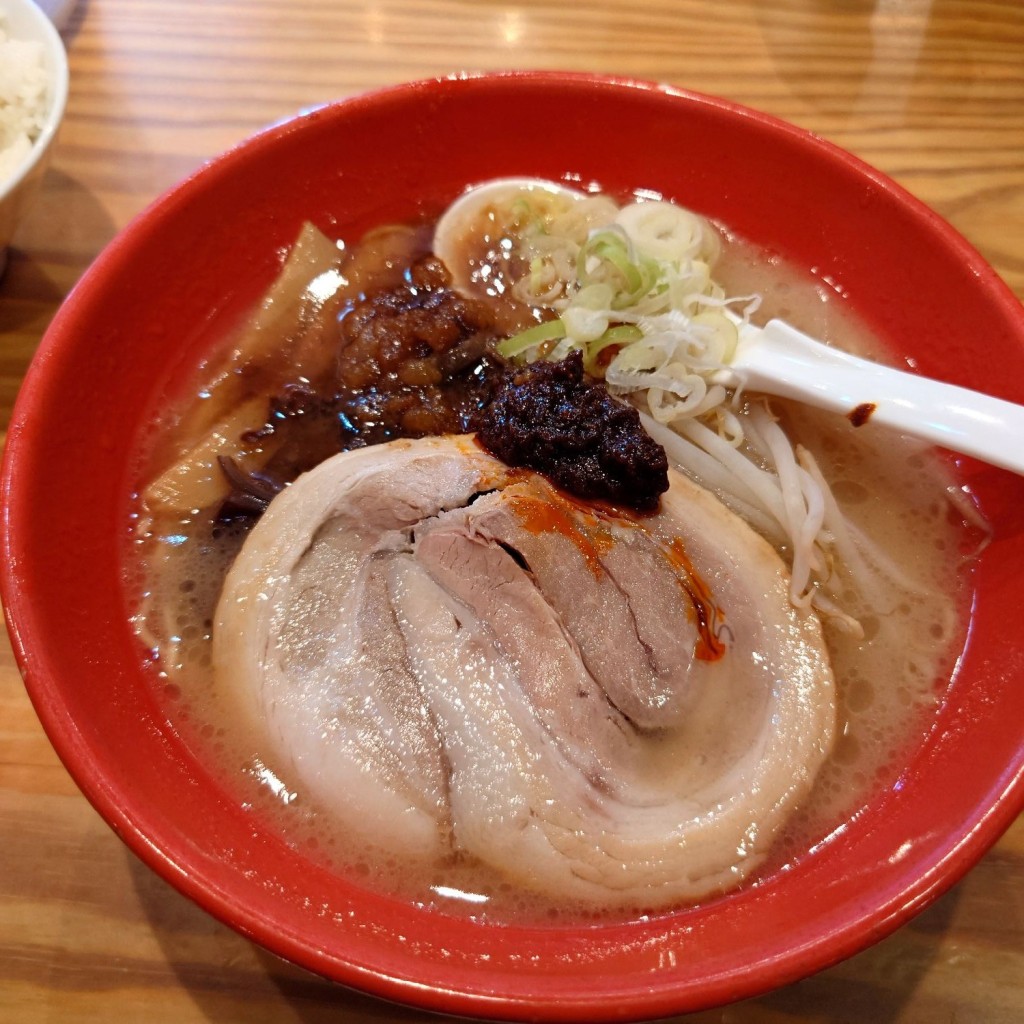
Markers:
{"x": 888, "y": 685}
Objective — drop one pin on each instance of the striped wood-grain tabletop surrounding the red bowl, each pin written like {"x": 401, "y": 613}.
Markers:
{"x": 931, "y": 92}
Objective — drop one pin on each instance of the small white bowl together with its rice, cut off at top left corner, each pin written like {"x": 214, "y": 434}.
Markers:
{"x": 33, "y": 95}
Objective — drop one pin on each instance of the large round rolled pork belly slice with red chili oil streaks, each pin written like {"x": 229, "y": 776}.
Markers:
{"x": 448, "y": 656}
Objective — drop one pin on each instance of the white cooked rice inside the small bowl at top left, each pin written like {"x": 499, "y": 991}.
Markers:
{"x": 23, "y": 100}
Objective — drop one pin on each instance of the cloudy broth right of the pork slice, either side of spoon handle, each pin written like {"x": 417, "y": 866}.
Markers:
{"x": 903, "y": 495}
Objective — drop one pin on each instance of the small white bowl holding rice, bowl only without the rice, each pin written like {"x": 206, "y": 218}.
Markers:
{"x": 23, "y": 20}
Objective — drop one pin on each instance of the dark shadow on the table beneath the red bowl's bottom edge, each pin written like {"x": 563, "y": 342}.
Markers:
{"x": 232, "y": 980}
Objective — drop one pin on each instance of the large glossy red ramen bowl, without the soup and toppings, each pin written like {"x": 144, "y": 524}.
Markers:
{"x": 151, "y": 307}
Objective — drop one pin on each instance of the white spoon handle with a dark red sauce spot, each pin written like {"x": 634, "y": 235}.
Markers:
{"x": 780, "y": 360}
